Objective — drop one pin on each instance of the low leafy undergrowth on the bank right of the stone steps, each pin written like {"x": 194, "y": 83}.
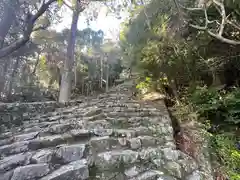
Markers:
{"x": 219, "y": 113}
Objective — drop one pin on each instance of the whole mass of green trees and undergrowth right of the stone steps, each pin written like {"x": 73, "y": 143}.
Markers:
{"x": 192, "y": 65}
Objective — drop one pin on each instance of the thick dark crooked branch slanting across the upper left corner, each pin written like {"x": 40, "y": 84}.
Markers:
{"x": 27, "y": 32}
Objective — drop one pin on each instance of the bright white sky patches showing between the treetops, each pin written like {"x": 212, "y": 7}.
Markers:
{"x": 106, "y": 22}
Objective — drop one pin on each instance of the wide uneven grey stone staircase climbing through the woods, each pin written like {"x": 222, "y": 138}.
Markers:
{"x": 108, "y": 137}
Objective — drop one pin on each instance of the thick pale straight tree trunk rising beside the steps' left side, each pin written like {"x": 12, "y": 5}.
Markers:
{"x": 67, "y": 76}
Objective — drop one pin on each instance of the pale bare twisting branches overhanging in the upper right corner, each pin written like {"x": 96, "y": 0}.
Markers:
{"x": 216, "y": 17}
